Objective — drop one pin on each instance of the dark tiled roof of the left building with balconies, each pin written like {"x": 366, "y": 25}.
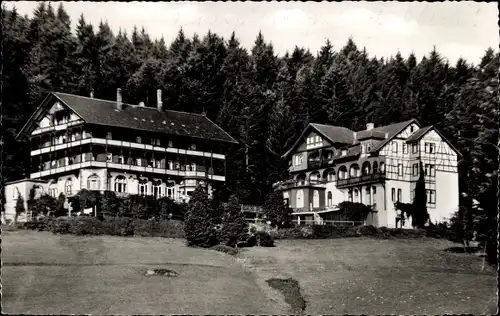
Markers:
{"x": 103, "y": 112}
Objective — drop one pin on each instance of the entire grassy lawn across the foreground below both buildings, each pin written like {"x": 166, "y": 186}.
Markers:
{"x": 49, "y": 274}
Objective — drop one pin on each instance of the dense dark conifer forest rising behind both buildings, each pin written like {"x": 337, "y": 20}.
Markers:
{"x": 261, "y": 99}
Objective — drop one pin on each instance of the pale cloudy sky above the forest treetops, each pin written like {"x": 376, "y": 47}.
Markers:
{"x": 457, "y": 29}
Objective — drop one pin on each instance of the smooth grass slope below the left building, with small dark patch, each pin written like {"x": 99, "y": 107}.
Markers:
{"x": 44, "y": 273}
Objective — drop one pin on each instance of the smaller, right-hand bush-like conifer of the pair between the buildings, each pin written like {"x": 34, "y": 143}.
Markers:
{"x": 233, "y": 223}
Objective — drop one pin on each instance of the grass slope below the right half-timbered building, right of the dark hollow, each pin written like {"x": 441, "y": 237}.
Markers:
{"x": 367, "y": 276}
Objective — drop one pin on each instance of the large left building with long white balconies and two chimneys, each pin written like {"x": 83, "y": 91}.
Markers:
{"x": 86, "y": 143}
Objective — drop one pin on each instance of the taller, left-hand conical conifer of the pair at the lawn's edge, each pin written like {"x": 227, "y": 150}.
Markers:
{"x": 198, "y": 224}
